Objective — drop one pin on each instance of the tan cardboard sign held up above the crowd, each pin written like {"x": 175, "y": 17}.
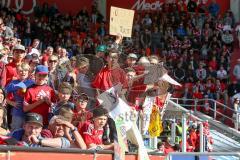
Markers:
{"x": 121, "y": 21}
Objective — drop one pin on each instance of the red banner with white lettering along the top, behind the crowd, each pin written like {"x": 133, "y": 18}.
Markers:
{"x": 74, "y": 6}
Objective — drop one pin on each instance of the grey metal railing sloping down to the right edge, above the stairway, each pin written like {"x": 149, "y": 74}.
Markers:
{"x": 213, "y": 108}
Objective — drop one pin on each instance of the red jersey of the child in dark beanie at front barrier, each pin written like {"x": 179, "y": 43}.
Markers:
{"x": 91, "y": 135}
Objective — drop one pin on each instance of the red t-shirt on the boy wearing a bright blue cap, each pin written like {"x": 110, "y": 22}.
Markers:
{"x": 34, "y": 94}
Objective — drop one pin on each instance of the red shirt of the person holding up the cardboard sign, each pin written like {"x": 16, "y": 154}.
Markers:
{"x": 108, "y": 78}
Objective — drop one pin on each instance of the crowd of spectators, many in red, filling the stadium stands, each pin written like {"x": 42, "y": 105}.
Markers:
{"x": 53, "y": 66}
